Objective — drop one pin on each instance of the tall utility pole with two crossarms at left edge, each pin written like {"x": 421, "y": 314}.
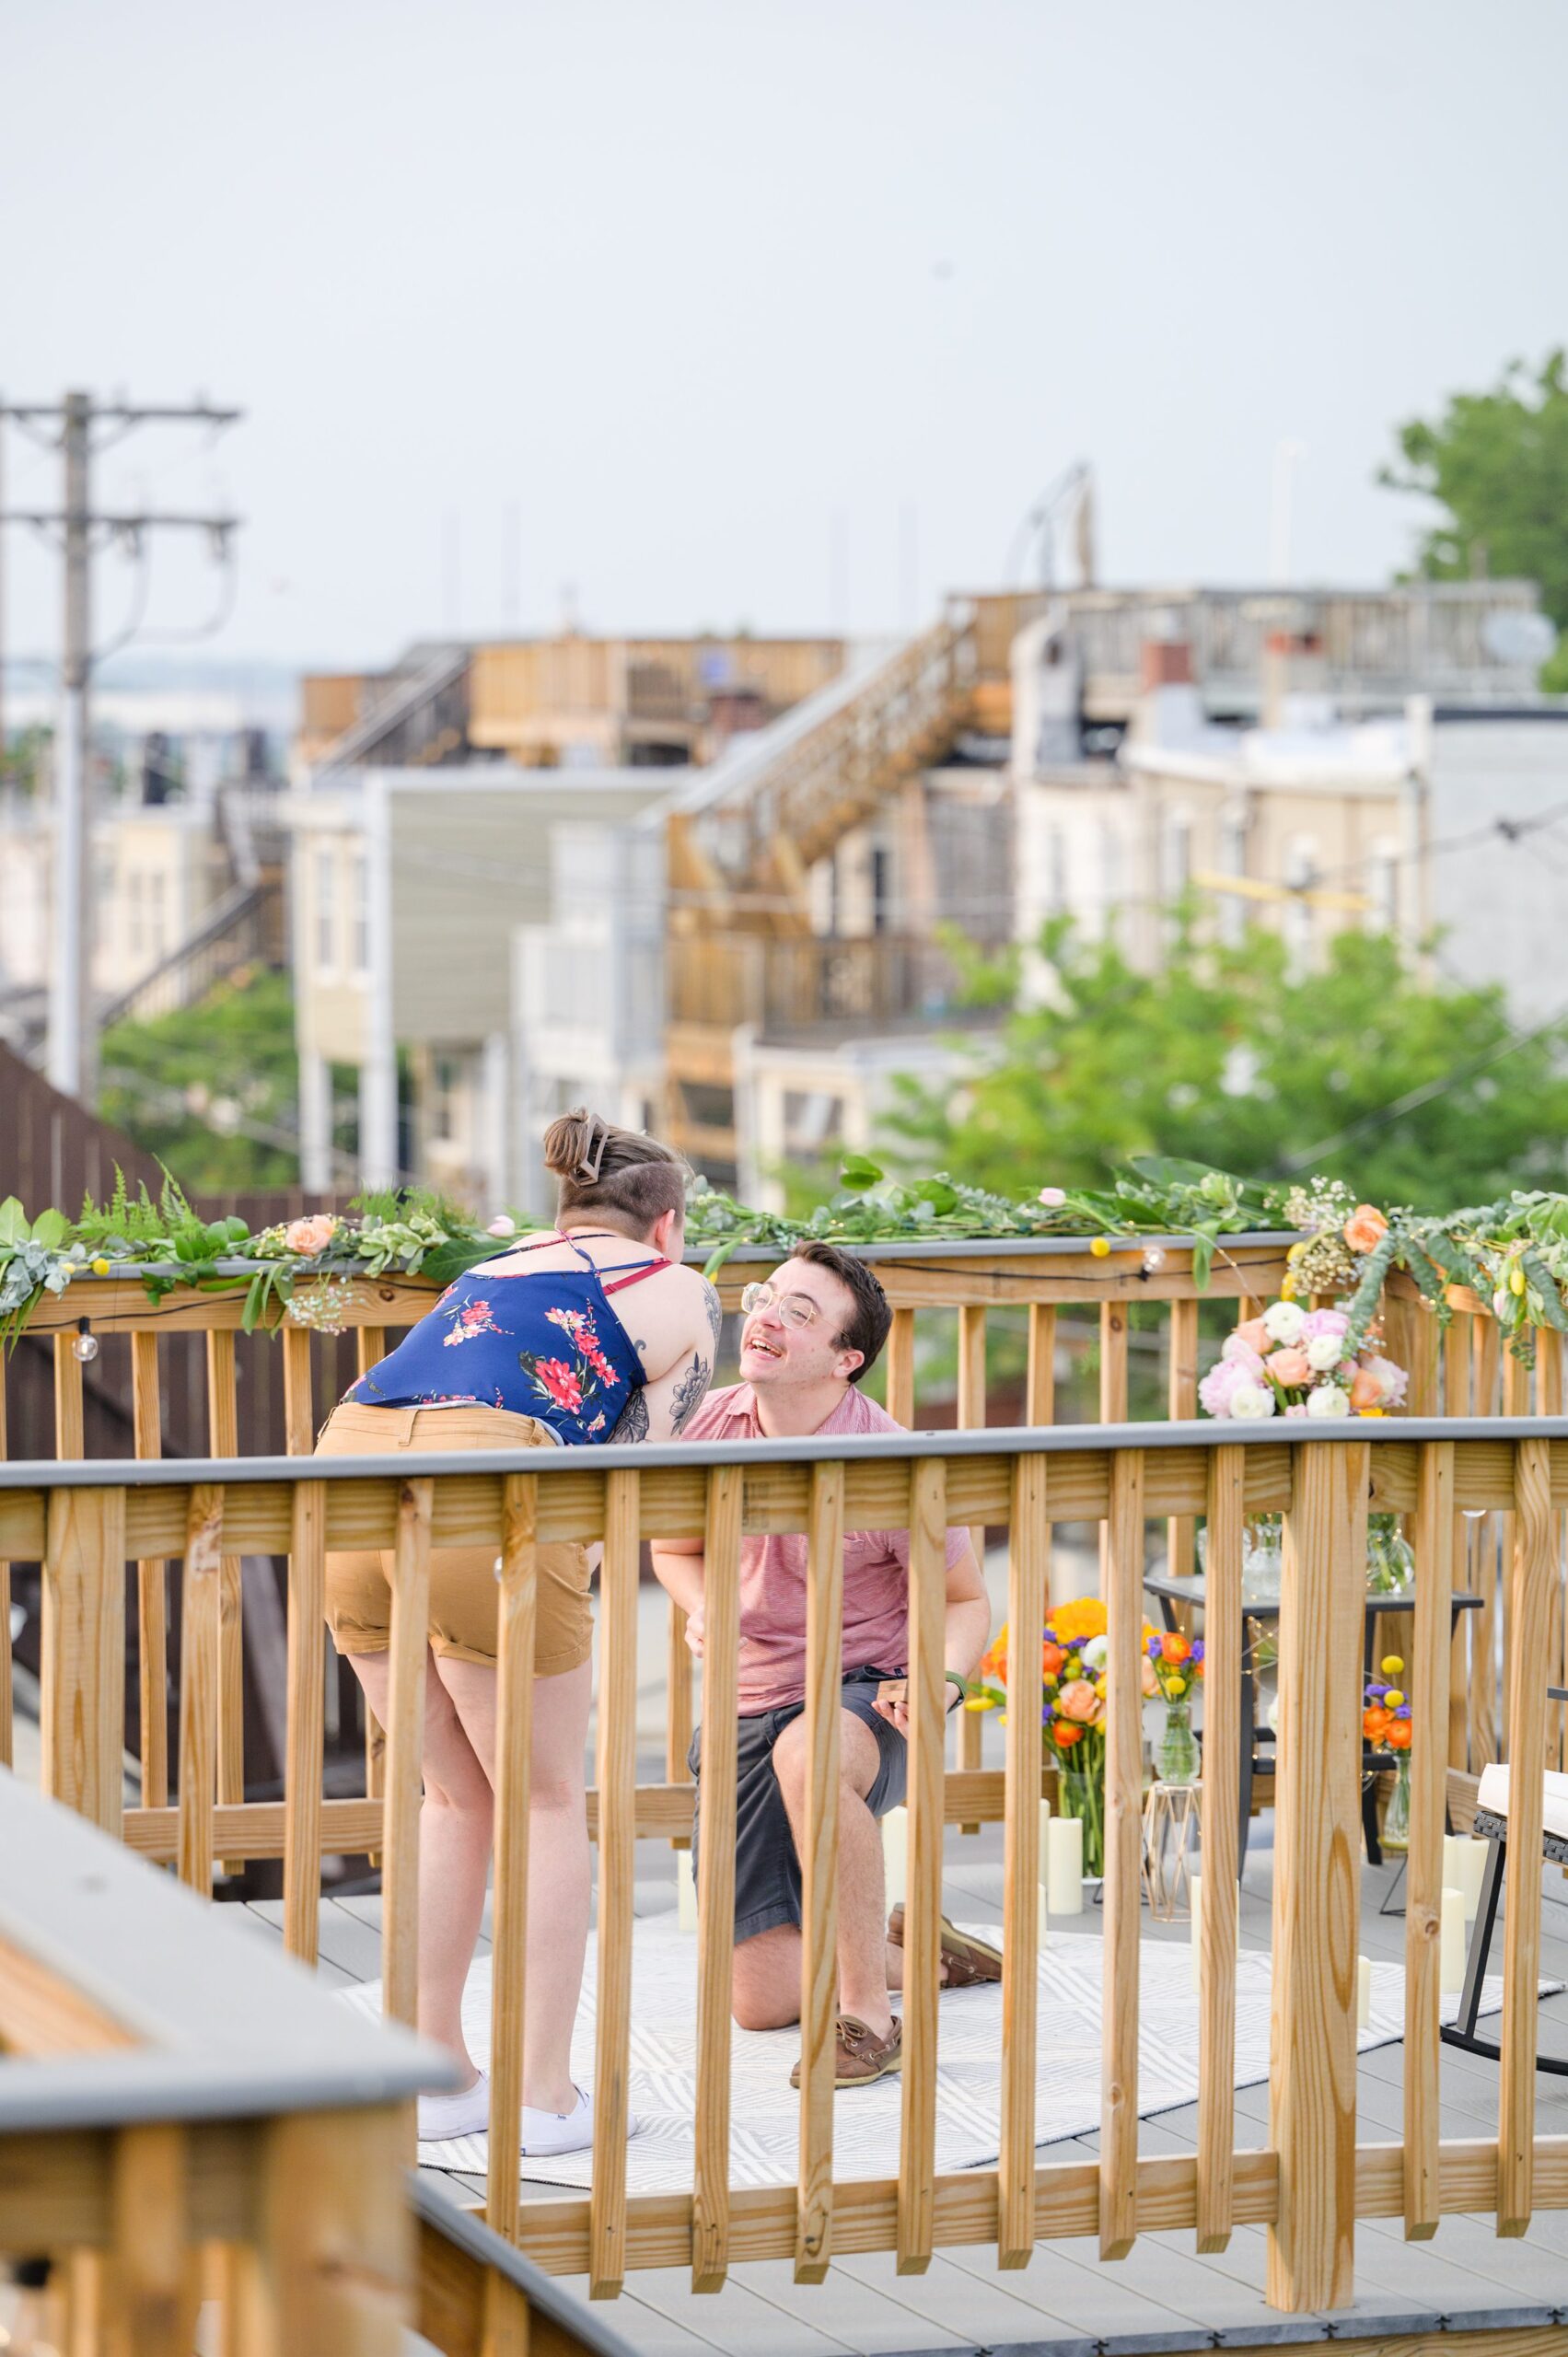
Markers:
{"x": 81, "y": 534}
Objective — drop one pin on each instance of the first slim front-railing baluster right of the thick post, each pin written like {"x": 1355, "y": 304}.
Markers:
{"x": 1428, "y": 1684}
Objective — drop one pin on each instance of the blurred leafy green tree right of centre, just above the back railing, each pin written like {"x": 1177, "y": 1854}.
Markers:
{"x": 1227, "y": 1059}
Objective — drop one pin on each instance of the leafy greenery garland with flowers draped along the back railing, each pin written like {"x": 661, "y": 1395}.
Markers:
{"x": 1513, "y": 1255}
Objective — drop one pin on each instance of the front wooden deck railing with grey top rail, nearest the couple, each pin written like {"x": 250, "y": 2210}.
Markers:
{"x": 1307, "y": 2186}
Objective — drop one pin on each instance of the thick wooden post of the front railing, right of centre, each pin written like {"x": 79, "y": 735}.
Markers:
{"x": 1317, "y": 1880}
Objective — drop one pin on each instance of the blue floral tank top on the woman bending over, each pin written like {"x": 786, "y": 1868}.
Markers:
{"x": 541, "y": 1342}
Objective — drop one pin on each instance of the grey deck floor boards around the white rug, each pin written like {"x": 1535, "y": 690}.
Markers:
{"x": 1159, "y": 2299}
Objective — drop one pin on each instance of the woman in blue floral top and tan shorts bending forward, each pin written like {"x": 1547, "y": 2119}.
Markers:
{"x": 565, "y": 1338}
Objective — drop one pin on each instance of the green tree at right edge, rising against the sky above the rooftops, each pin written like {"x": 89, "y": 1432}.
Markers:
{"x": 1498, "y": 466}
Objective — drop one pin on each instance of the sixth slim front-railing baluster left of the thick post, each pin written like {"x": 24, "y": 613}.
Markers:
{"x": 718, "y": 1875}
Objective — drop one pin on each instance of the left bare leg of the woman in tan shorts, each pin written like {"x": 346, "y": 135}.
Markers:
{"x": 454, "y": 1851}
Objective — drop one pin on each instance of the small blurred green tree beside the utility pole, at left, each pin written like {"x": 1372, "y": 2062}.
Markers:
{"x": 211, "y": 1090}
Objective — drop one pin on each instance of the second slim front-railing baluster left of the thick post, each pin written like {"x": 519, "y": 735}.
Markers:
{"x": 1119, "y": 2106}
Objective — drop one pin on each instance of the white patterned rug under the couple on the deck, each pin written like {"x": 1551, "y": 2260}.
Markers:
{"x": 867, "y": 2122}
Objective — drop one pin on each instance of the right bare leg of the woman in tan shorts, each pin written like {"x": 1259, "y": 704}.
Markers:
{"x": 560, "y": 1873}
